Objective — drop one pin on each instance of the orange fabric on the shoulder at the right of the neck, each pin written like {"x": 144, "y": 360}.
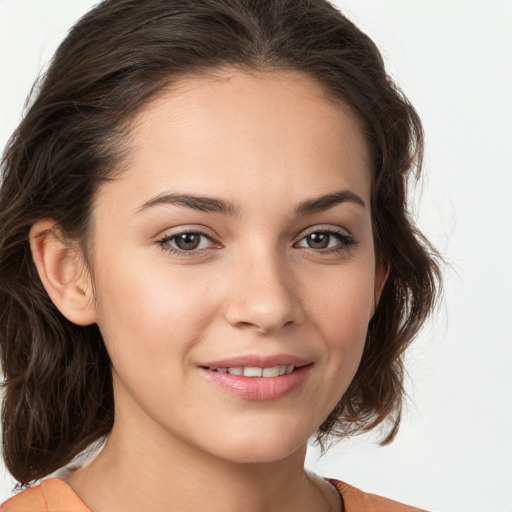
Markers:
{"x": 355, "y": 500}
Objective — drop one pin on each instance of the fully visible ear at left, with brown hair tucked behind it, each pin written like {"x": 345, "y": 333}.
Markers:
{"x": 63, "y": 272}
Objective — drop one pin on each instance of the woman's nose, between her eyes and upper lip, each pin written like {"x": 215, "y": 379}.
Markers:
{"x": 263, "y": 295}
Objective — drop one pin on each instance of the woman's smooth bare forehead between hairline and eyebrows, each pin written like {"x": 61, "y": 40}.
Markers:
{"x": 233, "y": 129}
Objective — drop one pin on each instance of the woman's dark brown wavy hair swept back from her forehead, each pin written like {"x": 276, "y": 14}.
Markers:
{"x": 58, "y": 396}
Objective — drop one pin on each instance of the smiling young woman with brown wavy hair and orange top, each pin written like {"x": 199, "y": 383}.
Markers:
{"x": 206, "y": 259}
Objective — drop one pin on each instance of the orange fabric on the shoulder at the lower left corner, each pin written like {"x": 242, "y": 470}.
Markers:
{"x": 52, "y": 495}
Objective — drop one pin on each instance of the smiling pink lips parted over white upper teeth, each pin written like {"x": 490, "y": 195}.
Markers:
{"x": 258, "y": 379}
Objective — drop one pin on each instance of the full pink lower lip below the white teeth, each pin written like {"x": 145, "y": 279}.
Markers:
{"x": 260, "y": 389}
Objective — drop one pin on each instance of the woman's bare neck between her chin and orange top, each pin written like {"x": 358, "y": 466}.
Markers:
{"x": 175, "y": 475}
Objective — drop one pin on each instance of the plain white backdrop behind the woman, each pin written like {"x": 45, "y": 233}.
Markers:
{"x": 453, "y": 59}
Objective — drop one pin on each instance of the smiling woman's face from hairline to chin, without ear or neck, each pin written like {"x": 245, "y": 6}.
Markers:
{"x": 237, "y": 241}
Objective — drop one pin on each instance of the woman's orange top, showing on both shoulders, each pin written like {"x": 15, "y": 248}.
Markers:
{"x": 54, "y": 495}
